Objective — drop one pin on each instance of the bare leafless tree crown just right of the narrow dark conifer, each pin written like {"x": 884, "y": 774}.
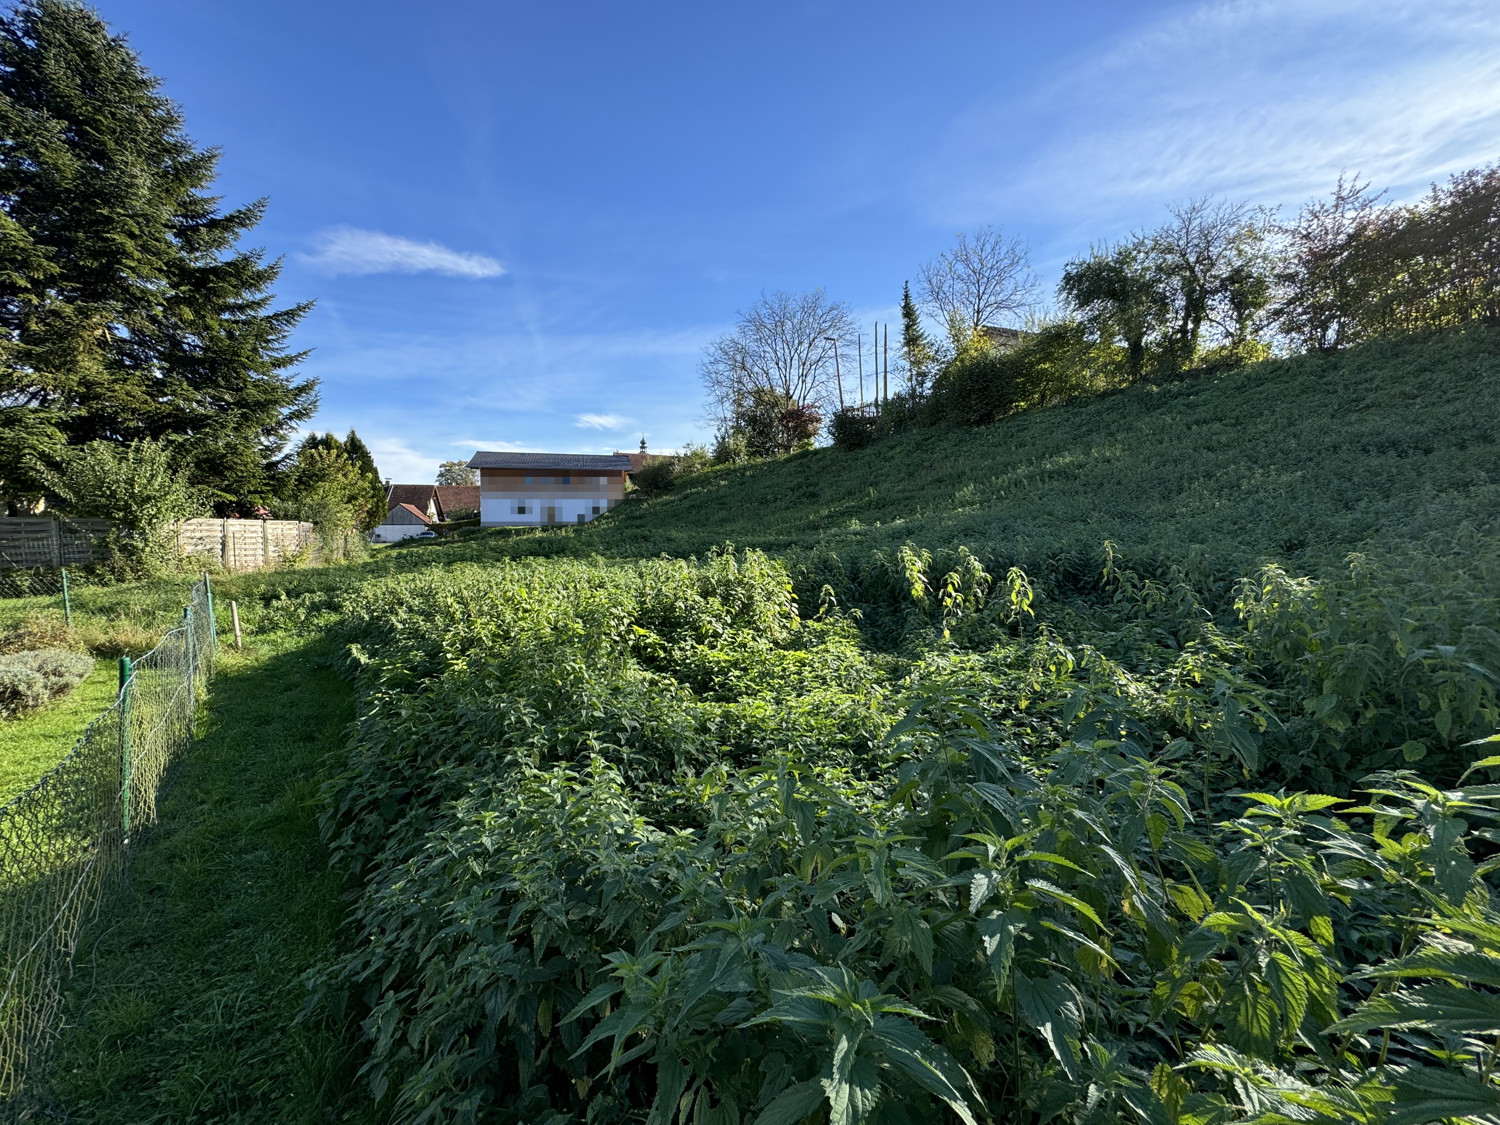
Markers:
{"x": 985, "y": 278}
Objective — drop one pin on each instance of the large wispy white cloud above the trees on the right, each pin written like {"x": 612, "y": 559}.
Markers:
{"x": 1261, "y": 100}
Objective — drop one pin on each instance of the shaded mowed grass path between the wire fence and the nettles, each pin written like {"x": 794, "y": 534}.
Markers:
{"x": 185, "y": 1009}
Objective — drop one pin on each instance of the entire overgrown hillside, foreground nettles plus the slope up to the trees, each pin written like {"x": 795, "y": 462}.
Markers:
{"x": 1112, "y": 764}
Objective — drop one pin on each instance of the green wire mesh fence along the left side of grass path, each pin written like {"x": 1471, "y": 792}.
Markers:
{"x": 65, "y": 842}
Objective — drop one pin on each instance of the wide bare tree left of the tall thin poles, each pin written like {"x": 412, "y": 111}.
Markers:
{"x": 781, "y": 346}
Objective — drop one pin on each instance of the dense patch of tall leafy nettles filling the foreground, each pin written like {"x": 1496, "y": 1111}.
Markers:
{"x": 647, "y": 842}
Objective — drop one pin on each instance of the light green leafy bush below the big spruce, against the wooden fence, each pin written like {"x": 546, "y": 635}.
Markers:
{"x": 137, "y": 487}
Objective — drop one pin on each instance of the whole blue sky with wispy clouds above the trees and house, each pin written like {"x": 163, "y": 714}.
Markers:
{"x": 521, "y": 223}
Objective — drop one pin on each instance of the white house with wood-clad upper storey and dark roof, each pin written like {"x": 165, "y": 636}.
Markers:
{"x": 541, "y": 490}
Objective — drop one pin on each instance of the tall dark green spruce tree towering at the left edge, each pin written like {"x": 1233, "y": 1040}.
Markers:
{"x": 127, "y": 308}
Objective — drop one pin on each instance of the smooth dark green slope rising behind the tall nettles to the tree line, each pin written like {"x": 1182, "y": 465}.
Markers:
{"x": 1298, "y": 460}
